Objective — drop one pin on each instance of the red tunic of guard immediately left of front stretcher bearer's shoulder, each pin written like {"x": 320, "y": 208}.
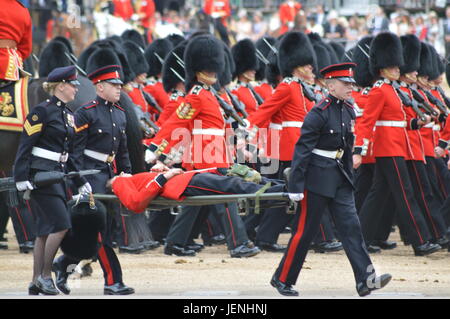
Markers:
{"x": 289, "y": 99}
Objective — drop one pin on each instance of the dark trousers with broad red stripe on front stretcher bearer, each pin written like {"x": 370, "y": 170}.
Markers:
{"x": 306, "y": 226}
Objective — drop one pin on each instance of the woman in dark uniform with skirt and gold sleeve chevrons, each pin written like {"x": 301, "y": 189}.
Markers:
{"x": 45, "y": 146}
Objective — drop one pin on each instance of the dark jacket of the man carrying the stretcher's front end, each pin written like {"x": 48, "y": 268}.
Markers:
{"x": 328, "y": 126}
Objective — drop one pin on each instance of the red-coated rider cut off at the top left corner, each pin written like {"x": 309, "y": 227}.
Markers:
{"x": 15, "y": 39}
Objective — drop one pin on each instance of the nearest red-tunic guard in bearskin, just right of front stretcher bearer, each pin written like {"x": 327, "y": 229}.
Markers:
{"x": 391, "y": 146}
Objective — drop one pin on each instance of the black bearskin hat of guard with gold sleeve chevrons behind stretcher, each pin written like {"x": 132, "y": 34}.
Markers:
{"x": 203, "y": 53}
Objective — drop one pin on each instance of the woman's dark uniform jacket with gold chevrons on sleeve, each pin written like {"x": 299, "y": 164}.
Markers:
{"x": 50, "y": 125}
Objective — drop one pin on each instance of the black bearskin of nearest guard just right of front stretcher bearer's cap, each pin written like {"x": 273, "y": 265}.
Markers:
{"x": 385, "y": 51}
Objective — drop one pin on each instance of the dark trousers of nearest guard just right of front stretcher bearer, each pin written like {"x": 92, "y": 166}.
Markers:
{"x": 391, "y": 176}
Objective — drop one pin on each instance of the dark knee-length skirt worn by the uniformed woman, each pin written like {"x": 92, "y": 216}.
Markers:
{"x": 50, "y": 209}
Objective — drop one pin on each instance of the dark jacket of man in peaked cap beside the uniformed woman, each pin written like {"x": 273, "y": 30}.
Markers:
{"x": 101, "y": 128}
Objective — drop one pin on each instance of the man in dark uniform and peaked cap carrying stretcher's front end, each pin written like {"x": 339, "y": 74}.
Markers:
{"x": 321, "y": 178}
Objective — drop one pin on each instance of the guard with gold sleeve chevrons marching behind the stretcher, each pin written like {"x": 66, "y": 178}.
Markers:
{"x": 201, "y": 119}
